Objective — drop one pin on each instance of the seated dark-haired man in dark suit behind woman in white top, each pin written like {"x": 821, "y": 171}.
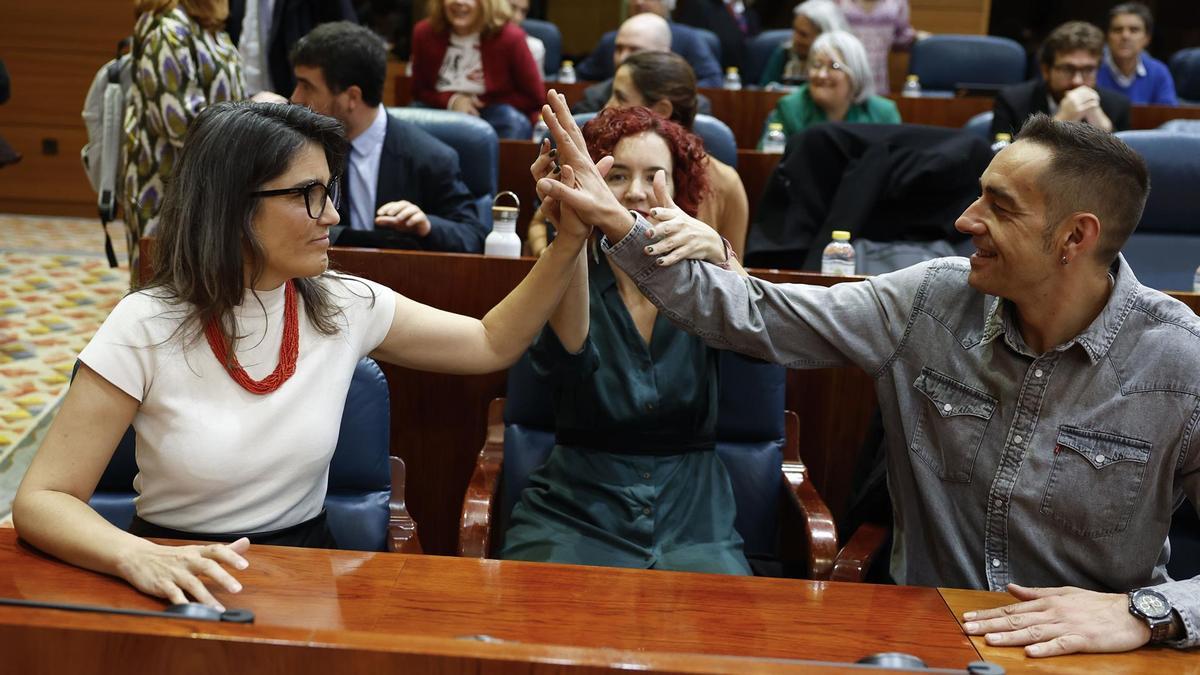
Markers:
{"x": 403, "y": 188}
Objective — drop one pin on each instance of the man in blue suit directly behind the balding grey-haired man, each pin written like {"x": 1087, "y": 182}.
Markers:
{"x": 686, "y": 41}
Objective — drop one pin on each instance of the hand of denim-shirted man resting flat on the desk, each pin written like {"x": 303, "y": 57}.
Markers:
{"x": 1060, "y": 622}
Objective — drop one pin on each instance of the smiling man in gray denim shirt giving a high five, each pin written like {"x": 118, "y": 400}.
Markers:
{"x": 1041, "y": 405}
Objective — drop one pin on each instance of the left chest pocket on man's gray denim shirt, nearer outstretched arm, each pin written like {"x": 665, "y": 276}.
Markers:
{"x": 951, "y": 426}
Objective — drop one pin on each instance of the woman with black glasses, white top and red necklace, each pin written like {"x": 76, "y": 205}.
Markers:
{"x": 233, "y": 363}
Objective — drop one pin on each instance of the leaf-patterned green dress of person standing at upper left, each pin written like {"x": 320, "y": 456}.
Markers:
{"x": 179, "y": 69}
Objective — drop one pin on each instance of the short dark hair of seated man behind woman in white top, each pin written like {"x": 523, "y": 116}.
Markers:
{"x": 349, "y": 56}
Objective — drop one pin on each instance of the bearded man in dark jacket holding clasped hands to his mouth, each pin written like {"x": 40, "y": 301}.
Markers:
{"x": 1071, "y": 58}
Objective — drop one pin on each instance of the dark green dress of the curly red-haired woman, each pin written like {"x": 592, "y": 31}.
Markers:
{"x": 634, "y": 480}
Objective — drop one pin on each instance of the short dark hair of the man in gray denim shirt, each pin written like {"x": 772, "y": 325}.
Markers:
{"x": 1090, "y": 171}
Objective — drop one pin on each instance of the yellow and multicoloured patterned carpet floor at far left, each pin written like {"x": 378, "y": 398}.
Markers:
{"x": 56, "y": 290}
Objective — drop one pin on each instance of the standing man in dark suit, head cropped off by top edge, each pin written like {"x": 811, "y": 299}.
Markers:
{"x": 266, "y": 51}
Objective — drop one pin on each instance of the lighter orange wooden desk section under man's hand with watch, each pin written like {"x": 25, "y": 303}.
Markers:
{"x": 1151, "y": 660}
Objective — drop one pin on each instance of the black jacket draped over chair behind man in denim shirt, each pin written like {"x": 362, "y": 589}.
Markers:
{"x": 879, "y": 182}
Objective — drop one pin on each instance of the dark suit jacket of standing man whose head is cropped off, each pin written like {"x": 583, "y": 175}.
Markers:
{"x": 291, "y": 21}
